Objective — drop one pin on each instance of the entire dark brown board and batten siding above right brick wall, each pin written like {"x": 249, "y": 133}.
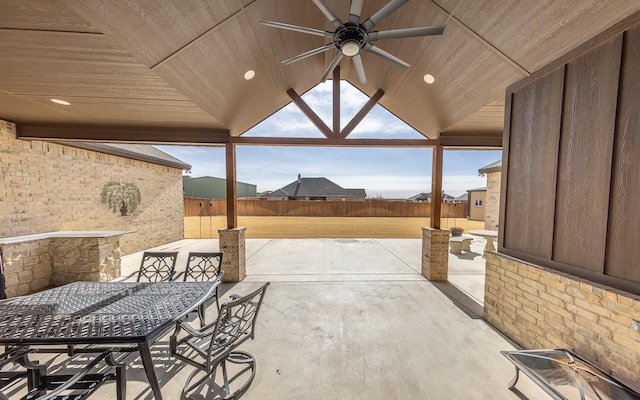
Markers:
{"x": 571, "y": 190}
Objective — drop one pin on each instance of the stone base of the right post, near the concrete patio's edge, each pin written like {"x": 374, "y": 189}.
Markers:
{"x": 435, "y": 254}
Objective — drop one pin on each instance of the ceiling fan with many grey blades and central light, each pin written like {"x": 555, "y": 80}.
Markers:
{"x": 352, "y": 37}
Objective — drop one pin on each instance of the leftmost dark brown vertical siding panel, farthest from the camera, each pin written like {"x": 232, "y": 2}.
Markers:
{"x": 532, "y": 159}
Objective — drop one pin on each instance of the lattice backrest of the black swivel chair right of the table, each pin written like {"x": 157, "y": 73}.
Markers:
{"x": 236, "y": 323}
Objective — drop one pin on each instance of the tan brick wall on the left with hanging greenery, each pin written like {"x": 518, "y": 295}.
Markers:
{"x": 50, "y": 187}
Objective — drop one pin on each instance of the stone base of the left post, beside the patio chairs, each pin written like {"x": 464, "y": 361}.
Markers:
{"x": 232, "y": 244}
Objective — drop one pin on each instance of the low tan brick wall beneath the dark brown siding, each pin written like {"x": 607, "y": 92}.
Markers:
{"x": 540, "y": 309}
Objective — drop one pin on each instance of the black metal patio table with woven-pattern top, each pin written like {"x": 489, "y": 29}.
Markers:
{"x": 97, "y": 313}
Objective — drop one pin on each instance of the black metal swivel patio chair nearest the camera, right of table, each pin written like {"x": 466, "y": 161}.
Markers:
{"x": 212, "y": 347}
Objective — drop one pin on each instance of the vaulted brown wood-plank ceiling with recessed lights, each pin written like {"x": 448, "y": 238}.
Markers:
{"x": 179, "y": 65}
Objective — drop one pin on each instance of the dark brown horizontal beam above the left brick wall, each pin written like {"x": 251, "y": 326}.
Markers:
{"x": 156, "y": 135}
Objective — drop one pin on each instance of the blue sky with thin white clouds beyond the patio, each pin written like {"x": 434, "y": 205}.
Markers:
{"x": 383, "y": 172}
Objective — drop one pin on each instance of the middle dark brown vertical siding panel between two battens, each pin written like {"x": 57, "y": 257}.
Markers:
{"x": 584, "y": 168}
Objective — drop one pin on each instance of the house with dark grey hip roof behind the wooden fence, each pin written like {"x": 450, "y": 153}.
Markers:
{"x": 316, "y": 189}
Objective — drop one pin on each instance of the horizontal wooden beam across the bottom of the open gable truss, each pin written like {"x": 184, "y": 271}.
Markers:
{"x": 321, "y": 142}
